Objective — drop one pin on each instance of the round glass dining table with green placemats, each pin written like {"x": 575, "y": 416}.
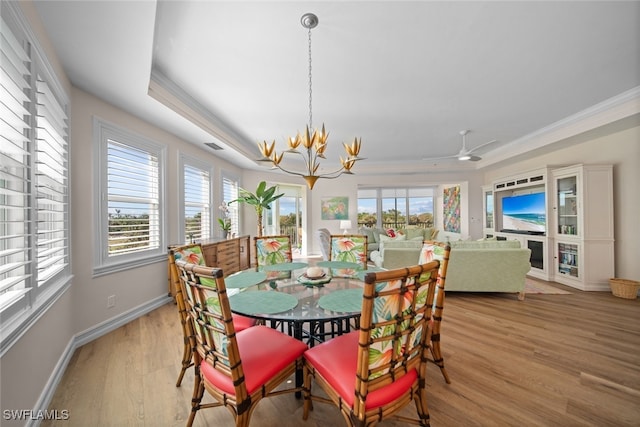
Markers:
{"x": 309, "y": 309}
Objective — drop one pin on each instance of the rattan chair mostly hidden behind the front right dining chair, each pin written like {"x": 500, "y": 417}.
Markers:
{"x": 437, "y": 250}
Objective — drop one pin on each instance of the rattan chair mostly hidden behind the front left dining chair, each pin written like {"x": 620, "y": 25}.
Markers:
{"x": 191, "y": 253}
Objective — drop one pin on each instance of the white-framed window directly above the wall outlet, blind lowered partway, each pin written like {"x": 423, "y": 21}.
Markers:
{"x": 129, "y": 188}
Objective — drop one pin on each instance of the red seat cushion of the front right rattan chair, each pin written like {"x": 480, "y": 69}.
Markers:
{"x": 336, "y": 361}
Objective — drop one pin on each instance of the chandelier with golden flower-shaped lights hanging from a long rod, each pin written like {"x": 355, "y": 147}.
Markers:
{"x": 311, "y": 145}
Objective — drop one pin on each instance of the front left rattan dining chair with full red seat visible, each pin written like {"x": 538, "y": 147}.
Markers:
{"x": 237, "y": 369}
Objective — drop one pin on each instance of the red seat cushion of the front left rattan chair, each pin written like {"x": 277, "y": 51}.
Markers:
{"x": 264, "y": 353}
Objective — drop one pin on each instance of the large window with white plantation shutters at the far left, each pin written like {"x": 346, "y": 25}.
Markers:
{"x": 34, "y": 181}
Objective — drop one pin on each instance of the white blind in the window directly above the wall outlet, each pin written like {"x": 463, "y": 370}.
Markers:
{"x": 133, "y": 199}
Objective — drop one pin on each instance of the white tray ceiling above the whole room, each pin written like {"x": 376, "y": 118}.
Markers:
{"x": 406, "y": 77}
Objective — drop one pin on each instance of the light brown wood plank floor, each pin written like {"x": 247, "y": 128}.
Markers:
{"x": 550, "y": 360}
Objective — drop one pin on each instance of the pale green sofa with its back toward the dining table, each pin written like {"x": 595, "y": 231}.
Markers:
{"x": 474, "y": 266}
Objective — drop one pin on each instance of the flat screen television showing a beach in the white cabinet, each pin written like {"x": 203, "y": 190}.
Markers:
{"x": 524, "y": 213}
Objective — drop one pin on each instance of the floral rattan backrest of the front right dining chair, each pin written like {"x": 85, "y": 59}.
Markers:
{"x": 394, "y": 331}
